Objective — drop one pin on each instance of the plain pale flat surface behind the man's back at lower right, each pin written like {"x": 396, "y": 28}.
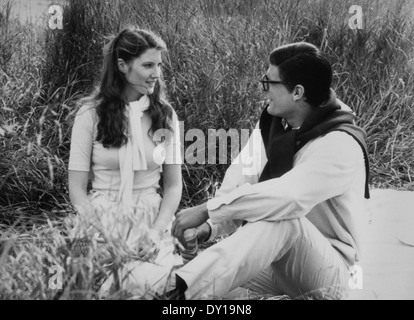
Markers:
{"x": 388, "y": 247}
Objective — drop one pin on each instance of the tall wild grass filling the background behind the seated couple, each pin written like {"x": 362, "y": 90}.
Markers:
{"x": 217, "y": 51}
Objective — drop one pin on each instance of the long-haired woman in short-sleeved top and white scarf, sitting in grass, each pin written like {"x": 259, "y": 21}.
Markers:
{"x": 119, "y": 136}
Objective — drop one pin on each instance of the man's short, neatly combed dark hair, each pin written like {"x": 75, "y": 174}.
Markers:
{"x": 303, "y": 63}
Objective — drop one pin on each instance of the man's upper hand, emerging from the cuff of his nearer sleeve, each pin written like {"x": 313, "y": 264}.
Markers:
{"x": 187, "y": 219}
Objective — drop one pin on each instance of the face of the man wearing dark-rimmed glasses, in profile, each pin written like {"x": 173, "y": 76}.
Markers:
{"x": 280, "y": 100}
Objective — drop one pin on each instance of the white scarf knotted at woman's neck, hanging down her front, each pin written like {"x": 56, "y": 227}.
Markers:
{"x": 132, "y": 154}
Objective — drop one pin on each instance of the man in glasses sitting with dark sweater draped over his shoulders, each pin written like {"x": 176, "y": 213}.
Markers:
{"x": 300, "y": 230}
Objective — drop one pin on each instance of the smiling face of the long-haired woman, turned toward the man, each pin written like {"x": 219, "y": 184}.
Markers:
{"x": 142, "y": 74}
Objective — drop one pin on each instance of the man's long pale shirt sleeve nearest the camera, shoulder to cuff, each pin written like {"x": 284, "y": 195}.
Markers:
{"x": 323, "y": 169}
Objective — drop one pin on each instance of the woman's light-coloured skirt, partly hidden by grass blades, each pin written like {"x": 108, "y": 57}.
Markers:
{"x": 129, "y": 229}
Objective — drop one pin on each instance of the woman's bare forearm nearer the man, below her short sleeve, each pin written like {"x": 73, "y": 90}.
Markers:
{"x": 172, "y": 195}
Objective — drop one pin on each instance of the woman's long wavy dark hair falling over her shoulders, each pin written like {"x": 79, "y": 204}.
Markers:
{"x": 129, "y": 44}
